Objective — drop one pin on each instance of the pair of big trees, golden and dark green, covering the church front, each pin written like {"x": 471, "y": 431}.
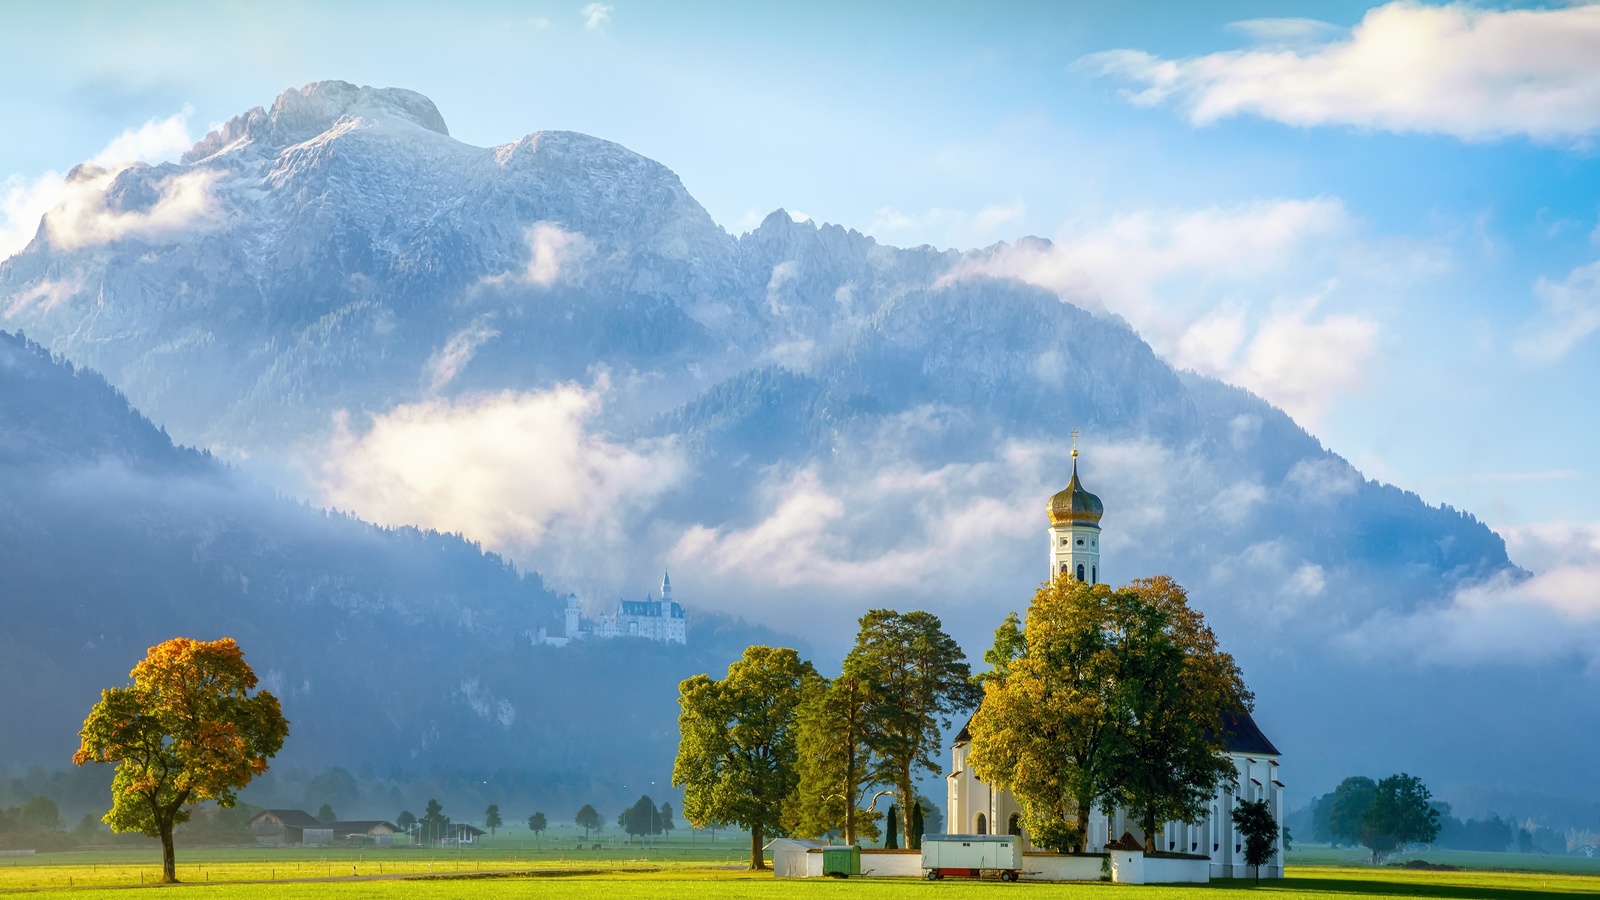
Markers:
{"x": 1106, "y": 697}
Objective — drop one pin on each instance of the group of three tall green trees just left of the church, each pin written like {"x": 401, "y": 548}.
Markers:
{"x": 777, "y": 749}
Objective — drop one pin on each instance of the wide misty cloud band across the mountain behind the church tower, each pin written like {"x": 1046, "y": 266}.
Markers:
{"x": 967, "y": 540}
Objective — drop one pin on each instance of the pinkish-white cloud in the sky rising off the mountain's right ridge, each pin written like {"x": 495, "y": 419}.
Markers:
{"x": 1162, "y": 270}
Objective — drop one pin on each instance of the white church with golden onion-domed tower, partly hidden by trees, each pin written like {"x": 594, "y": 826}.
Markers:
{"x": 975, "y": 808}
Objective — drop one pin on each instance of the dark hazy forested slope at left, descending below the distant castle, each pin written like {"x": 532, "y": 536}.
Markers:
{"x": 388, "y": 646}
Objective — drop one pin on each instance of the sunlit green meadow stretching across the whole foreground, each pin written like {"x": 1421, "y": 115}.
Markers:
{"x": 516, "y": 866}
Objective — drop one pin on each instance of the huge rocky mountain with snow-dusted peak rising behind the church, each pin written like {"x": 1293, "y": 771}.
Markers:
{"x": 849, "y": 425}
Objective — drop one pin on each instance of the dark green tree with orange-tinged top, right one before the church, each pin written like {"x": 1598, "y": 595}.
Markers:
{"x": 1172, "y": 691}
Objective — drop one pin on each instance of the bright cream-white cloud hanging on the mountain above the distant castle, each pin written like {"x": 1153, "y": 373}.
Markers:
{"x": 503, "y": 468}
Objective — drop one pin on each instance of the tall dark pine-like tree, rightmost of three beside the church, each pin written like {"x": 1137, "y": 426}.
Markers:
{"x": 918, "y": 678}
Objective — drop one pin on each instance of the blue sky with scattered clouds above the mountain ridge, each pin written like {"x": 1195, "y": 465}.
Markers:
{"x": 1377, "y": 217}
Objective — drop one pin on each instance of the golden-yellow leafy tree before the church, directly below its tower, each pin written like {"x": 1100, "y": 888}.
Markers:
{"x": 1047, "y": 731}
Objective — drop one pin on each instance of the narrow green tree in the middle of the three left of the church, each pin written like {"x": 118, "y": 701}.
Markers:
{"x": 834, "y": 760}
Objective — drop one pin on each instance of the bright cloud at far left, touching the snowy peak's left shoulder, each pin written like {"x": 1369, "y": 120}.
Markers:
{"x": 82, "y": 215}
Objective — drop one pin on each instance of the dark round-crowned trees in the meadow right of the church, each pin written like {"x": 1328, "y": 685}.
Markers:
{"x": 1380, "y": 816}
